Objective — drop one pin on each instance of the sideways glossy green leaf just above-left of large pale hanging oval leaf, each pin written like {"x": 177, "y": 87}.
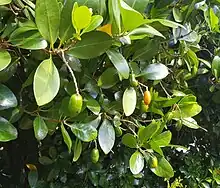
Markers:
{"x": 27, "y": 38}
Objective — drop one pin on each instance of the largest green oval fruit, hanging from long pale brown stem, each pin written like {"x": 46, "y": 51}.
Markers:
{"x": 75, "y": 104}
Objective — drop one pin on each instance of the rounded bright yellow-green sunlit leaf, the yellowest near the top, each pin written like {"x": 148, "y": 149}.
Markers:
{"x": 81, "y": 17}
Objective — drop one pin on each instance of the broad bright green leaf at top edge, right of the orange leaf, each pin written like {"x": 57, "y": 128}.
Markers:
{"x": 131, "y": 18}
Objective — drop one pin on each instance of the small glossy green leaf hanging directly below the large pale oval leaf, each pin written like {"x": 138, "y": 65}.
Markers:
{"x": 40, "y": 128}
